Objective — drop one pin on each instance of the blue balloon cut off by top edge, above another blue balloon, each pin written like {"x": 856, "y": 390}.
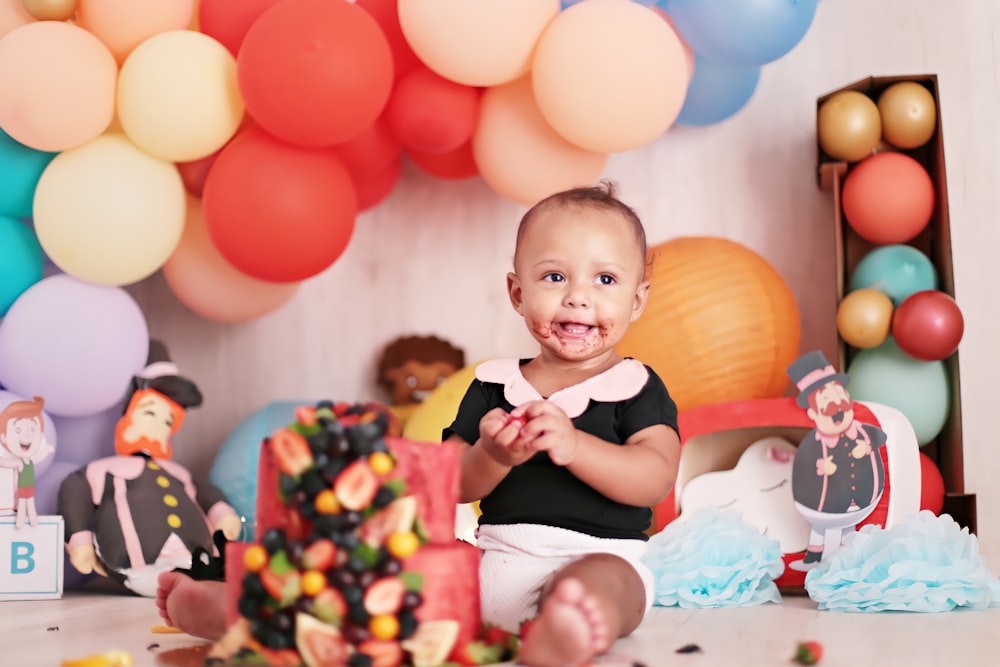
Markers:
{"x": 742, "y": 32}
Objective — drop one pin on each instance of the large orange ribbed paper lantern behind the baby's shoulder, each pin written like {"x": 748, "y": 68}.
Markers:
{"x": 721, "y": 323}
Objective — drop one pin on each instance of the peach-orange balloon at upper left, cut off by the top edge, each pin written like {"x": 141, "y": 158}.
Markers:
{"x": 124, "y": 24}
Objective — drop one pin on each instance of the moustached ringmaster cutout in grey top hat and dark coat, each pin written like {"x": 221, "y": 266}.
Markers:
{"x": 837, "y": 474}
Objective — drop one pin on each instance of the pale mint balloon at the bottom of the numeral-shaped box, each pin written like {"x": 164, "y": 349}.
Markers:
{"x": 919, "y": 389}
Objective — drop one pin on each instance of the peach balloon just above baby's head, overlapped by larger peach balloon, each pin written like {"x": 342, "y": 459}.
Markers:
{"x": 519, "y": 155}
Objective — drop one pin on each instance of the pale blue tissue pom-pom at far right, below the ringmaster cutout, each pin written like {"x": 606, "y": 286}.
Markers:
{"x": 925, "y": 564}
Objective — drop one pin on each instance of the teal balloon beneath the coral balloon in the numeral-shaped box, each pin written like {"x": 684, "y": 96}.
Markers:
{"x": 896, "y": 270}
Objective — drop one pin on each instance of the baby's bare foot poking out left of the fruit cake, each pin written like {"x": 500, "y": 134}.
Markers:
{"x": 195, "y": 607}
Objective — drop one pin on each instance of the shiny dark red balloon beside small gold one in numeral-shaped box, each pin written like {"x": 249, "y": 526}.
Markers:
{"x": 928, "y": 325}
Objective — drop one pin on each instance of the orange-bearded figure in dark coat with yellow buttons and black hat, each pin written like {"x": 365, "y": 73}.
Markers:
{"x": 137, "y": 514}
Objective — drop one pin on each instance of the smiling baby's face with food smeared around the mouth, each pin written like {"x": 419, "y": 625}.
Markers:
{"x": 577, "y": 281}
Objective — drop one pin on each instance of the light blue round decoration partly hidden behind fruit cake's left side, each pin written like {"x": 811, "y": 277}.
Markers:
{"x": 234, "y": 470}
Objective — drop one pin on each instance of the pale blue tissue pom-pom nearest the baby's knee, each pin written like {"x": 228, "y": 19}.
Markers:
{"x": 714, "y": 558}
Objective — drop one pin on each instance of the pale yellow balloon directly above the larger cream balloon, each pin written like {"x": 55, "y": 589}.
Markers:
{"x": 178, "y": 98}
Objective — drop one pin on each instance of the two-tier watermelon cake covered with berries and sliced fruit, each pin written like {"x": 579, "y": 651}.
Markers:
{"x": 357, "y": 562}
